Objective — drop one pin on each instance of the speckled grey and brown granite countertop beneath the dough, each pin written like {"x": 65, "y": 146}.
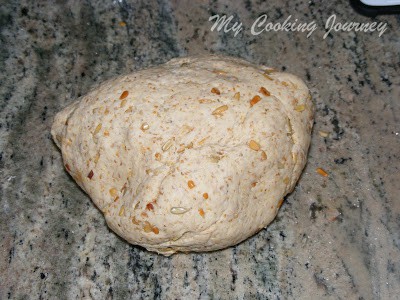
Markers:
{"x": 335, "y": 237}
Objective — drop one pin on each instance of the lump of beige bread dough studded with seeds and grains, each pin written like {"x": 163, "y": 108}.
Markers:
{"x": 193, "y": 155}
